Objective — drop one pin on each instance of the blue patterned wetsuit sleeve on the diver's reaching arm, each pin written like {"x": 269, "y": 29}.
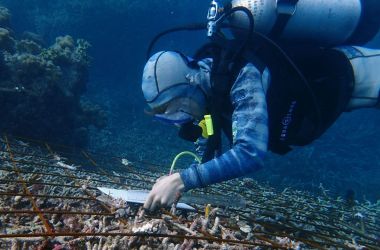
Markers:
{"x": 250, "y": 135}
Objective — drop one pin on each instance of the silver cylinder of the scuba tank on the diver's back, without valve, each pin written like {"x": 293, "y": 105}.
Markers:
{"x": 318, "y": 22}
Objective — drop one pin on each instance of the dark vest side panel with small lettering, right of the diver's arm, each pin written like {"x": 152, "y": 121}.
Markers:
{"x": 294, "y": 115}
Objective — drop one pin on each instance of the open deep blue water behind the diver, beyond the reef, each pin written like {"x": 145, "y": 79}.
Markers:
{"x": 346, "y": 157}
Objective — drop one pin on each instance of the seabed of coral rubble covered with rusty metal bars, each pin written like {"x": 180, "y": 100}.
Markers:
{"x": 49, "y": 200}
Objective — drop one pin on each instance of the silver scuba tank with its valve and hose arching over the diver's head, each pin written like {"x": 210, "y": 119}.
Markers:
{"x": 326, "y": 23}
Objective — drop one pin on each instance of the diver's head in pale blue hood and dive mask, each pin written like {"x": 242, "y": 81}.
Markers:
{"x": 171, "y": 90}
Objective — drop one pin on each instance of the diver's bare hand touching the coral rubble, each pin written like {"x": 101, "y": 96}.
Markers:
{"x": 165, "y": 192}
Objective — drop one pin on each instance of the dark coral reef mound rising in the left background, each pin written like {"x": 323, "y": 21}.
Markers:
{"x": 41, "y": 88}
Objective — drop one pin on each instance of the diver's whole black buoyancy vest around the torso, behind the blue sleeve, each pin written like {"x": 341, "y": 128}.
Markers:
{"x": 308, "y": 91}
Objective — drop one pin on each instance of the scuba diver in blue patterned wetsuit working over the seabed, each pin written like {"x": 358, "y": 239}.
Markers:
{"x": 291, "y": 70}
